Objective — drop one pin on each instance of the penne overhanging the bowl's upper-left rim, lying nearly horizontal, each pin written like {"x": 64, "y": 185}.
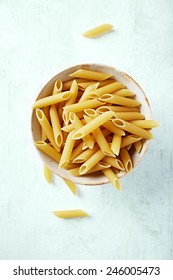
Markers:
{"x": 53, "y": 99}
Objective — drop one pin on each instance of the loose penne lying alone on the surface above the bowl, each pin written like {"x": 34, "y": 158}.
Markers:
{"x": 97, "y": 31}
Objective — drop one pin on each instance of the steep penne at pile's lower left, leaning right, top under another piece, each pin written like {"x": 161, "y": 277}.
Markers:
{"x": 67, "y": 150}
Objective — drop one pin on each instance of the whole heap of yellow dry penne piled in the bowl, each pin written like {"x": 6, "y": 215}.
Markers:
{"x": 92, "y": 123}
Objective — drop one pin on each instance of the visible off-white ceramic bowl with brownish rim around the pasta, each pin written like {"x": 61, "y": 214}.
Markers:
{"x": 98, "y": 178}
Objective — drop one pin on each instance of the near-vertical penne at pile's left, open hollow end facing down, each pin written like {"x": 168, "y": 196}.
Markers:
{"x": 56, "y": 126}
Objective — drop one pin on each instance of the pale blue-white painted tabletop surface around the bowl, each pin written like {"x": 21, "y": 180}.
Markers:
{"x": 39, "y": 39}
